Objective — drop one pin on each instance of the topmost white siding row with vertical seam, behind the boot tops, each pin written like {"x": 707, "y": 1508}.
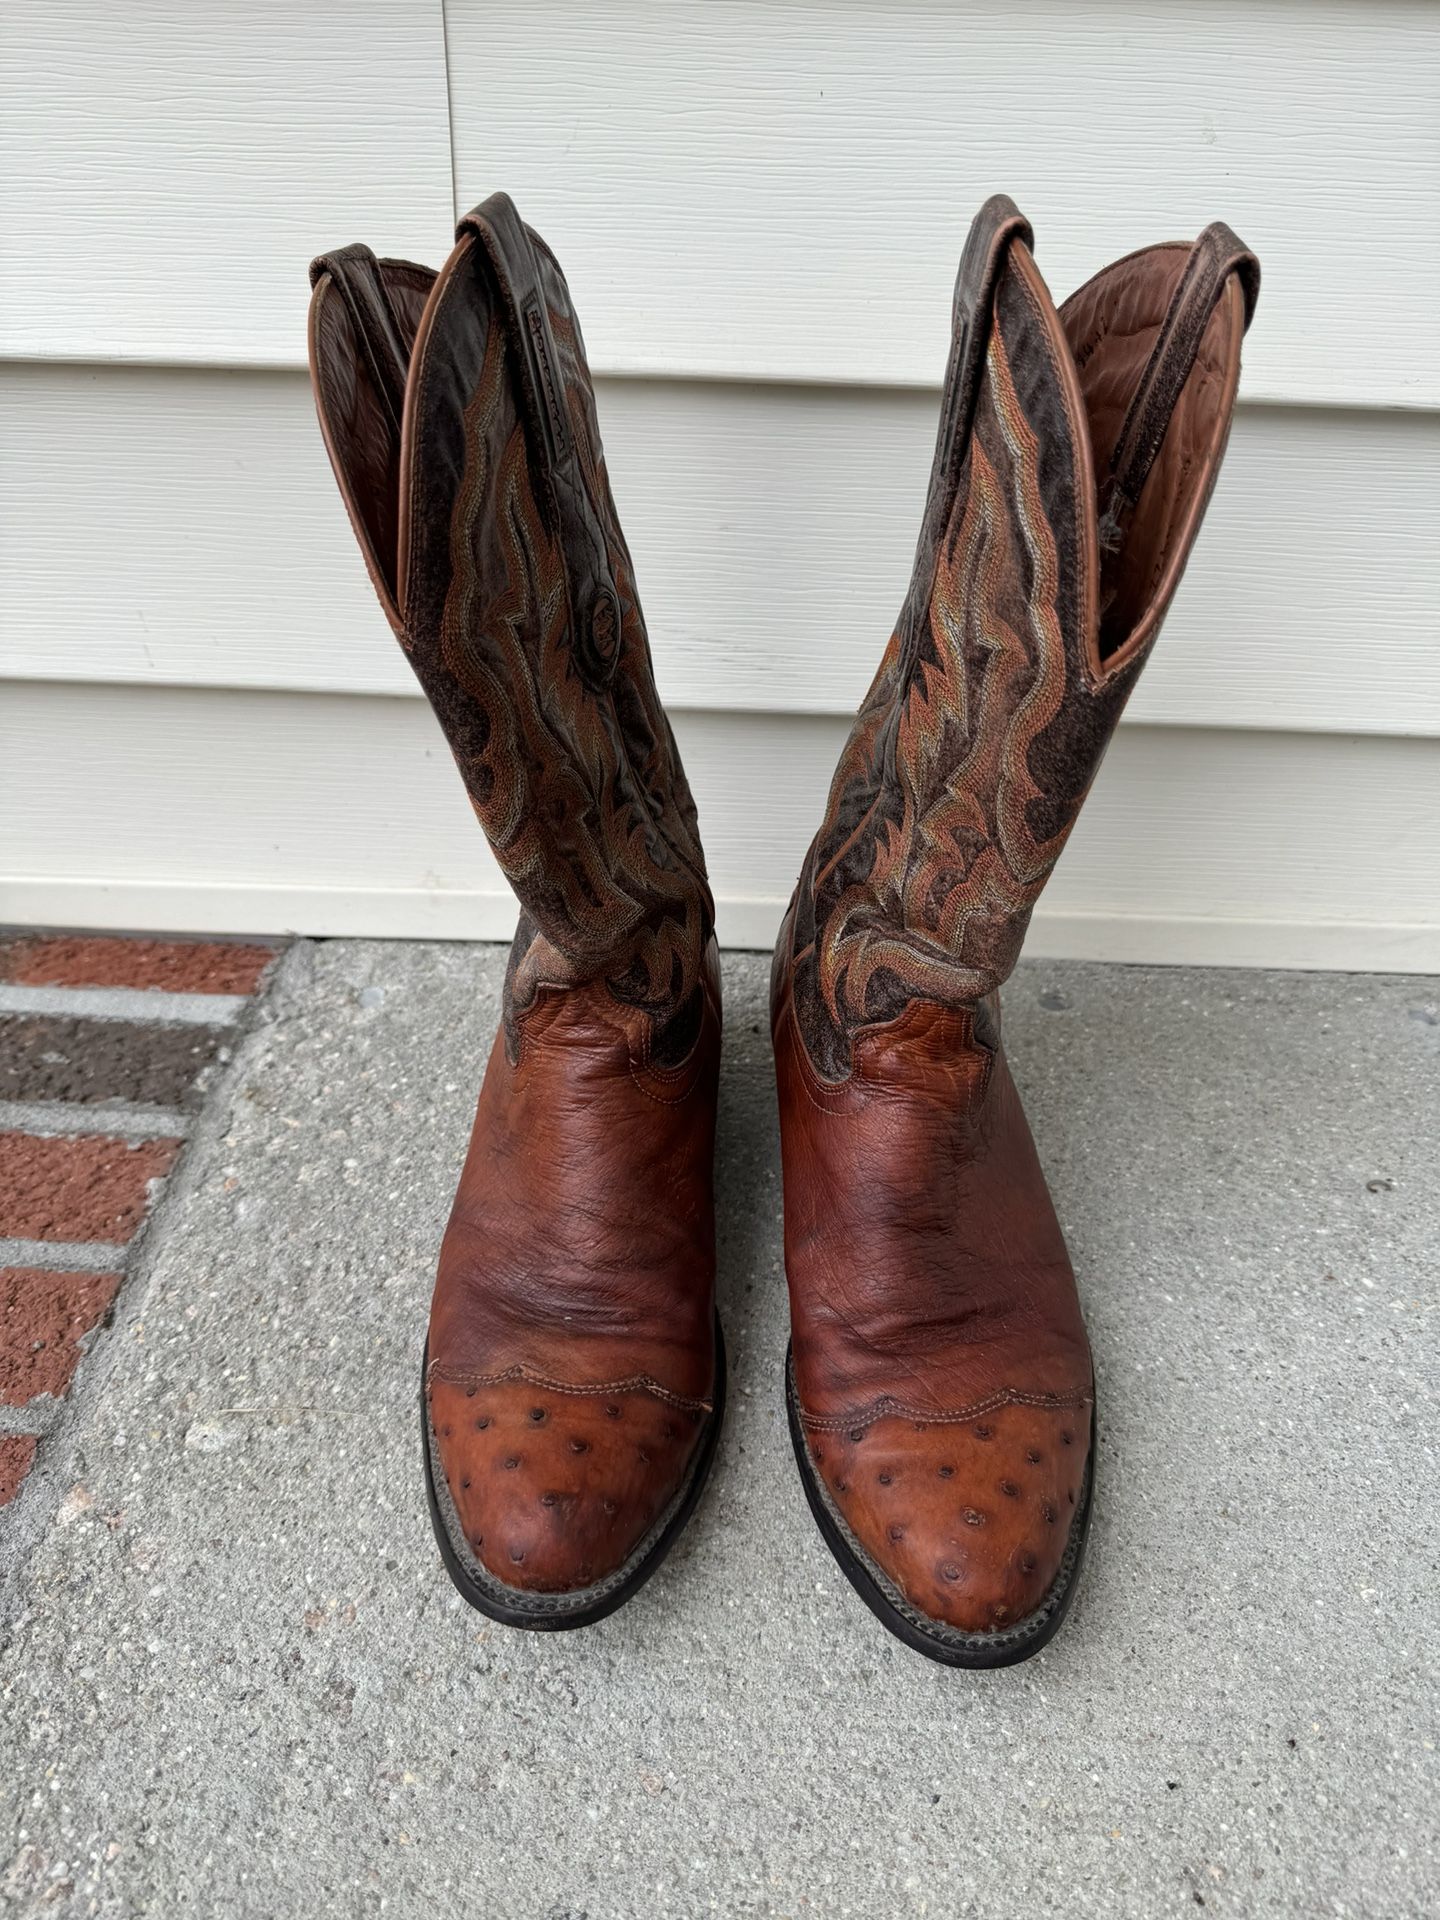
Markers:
{"x": 757, "y": 191}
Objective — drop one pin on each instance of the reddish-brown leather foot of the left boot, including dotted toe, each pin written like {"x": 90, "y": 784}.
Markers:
{"x": 571, "y": 1332}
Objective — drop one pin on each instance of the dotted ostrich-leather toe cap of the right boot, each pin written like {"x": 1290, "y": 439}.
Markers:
{"x": 971, "y": 1522}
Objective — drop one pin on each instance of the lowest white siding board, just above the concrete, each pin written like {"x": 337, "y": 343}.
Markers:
{"x": 345, "y": 815}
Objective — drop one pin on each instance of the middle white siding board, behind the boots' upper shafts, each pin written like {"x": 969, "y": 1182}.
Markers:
{"x": 183, "y": 529}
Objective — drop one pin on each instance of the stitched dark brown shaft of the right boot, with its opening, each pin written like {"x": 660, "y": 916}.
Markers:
{"x": 1076, "y": 456}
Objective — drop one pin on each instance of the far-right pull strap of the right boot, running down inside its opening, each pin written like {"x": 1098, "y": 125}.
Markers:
{"x": 1214, "y": 258}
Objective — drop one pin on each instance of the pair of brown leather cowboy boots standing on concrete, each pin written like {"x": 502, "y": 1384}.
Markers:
{"x": 940, "y": 1387}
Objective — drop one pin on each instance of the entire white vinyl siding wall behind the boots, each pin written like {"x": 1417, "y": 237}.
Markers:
{"x": 204, "y": 717}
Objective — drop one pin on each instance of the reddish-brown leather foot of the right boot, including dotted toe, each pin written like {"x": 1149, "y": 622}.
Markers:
{"x": 940, "y": 1351}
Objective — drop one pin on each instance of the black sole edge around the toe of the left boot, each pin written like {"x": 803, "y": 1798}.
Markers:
{"x": 556, "y": 1614}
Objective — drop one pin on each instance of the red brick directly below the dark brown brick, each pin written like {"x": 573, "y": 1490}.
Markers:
{"x": 78, "y": 1189}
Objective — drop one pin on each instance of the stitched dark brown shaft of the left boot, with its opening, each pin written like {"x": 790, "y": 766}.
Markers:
{"x": 460, "y": 418}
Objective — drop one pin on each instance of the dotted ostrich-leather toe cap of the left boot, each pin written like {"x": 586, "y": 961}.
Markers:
{"x": 554, "y": 1491}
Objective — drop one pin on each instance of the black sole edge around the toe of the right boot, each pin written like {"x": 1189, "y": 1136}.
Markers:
{"x": 951, "y": 1646}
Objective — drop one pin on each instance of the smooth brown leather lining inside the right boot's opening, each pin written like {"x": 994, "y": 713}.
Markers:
{"x": 1113, "y": 325}
